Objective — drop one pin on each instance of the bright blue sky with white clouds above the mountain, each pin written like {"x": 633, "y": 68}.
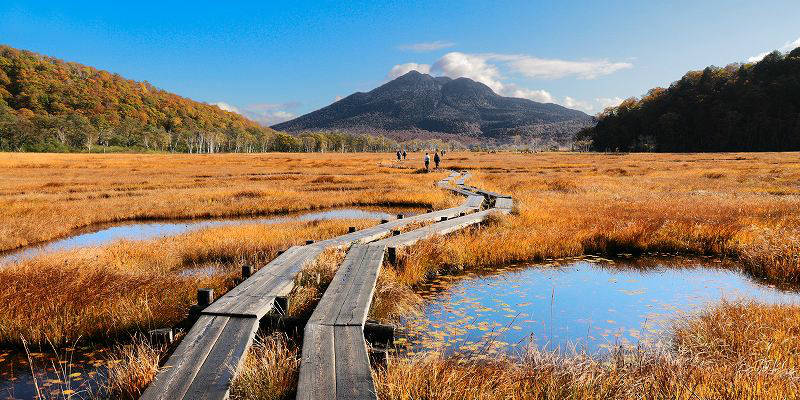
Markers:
{"x": 274, "y": 60}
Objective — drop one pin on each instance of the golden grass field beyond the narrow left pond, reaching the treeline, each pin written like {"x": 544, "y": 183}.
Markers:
{"x": 46, "y": 196}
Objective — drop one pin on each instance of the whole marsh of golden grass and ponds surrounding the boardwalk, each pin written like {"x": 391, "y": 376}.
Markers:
{"x": 713, "y": 238}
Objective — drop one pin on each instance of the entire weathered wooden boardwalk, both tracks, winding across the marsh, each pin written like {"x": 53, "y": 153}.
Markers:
{"x": 335, "y": 362}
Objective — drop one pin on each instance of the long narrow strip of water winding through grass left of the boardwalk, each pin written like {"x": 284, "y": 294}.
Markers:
{"x": 108, "y": 233}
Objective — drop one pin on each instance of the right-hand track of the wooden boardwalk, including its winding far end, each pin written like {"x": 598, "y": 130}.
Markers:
{"x": 335, "y": 362}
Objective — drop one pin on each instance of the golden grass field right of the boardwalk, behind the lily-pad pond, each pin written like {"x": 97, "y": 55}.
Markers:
{"x": 575, "y": 204}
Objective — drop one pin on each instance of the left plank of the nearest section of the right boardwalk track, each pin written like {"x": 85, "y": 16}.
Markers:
{"x": 317, "y": 365}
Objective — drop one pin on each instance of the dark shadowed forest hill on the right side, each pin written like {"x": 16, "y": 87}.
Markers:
{"x": 741, "y": 107}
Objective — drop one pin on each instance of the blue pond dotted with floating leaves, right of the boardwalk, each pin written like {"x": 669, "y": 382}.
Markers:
{"x": 589, "y": 305}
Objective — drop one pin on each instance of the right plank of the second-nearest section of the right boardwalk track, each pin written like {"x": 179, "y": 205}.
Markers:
{"x": 356, "y": 305}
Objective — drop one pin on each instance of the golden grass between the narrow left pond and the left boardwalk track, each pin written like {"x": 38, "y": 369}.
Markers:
{"x": 103, "y": 292}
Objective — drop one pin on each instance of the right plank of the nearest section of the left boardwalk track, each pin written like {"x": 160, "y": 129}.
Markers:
{"x": 225, "y": 358}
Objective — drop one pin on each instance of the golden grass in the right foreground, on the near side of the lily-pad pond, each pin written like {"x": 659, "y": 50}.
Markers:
{"x": 715, "y": 359}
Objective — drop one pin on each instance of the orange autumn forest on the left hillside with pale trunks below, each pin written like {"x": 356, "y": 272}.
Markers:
{"x": 50, "y": 105}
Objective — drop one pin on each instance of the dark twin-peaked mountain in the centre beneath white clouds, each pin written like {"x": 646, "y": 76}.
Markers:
{"x": 417, "y": 101}
